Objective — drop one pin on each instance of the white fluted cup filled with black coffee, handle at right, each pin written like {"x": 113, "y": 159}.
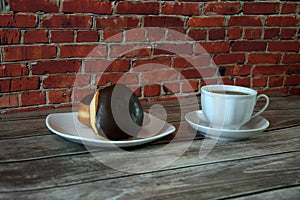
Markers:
{"x": 228, "y": 106}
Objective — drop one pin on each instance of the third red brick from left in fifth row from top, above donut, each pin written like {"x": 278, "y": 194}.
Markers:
{"x": 94, "y": 66}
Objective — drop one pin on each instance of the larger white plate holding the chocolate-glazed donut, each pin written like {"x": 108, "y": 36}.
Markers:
{"x": 67, "y": 126}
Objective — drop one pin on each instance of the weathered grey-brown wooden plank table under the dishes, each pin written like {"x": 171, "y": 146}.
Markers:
{"x": 37, "y": 164}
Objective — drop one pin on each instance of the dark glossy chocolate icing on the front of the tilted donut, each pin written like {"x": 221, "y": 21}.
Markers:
{"x": 112, "y": 119}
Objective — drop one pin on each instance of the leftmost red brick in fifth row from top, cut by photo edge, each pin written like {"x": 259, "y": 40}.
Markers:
{"x": 11, "y": 70}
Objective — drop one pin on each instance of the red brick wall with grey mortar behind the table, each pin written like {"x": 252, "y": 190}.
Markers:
{"x": 54, "y": 52}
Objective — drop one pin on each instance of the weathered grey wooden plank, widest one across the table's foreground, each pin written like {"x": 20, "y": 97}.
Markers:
{"x": 218, "y": 180}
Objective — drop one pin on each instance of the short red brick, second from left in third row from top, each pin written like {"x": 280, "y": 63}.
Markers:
{"x": 35, "y": 36}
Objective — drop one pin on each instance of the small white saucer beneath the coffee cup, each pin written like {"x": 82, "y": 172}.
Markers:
{"x": 198, "y": 121}
